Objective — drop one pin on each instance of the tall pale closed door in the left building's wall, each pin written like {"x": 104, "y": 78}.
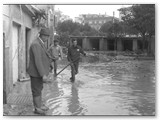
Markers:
{"x": 15, "y": 53}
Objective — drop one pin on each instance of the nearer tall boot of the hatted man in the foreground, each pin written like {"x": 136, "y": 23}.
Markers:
{"x": 37, "y": 105}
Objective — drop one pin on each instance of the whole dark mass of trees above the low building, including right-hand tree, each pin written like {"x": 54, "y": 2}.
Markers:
{"x": 136, "y": 20}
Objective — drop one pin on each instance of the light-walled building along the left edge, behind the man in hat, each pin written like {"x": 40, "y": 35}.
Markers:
{"x": 18, "y": 34}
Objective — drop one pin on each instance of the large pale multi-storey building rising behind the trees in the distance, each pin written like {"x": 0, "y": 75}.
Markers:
{"x": 95, "y": 20}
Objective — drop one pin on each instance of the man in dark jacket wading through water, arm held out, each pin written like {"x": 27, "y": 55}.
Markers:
{"x": 74, "y": 57}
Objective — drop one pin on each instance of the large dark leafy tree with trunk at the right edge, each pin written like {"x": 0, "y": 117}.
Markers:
{"x": 140, "y": 17}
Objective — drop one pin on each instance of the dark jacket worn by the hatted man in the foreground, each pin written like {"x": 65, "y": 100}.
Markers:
{"x": 39, "y": 64}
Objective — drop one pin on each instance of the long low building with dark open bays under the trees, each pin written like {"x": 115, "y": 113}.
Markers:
{"x": 104, "y": 43}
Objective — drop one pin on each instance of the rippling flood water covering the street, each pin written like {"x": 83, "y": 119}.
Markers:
{"x": 124, "y": 87}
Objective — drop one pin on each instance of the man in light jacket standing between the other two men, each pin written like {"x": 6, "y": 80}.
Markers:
{"x": 55, "y": 51}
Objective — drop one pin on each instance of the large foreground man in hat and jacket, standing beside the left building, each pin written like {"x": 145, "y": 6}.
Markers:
{"x": 39, "y": 67}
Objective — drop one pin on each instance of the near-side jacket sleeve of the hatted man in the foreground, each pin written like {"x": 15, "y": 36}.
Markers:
{"x": 38, "y": 59}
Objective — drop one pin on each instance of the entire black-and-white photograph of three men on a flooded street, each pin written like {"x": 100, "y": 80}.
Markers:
{"x": 79, "y": 59}
